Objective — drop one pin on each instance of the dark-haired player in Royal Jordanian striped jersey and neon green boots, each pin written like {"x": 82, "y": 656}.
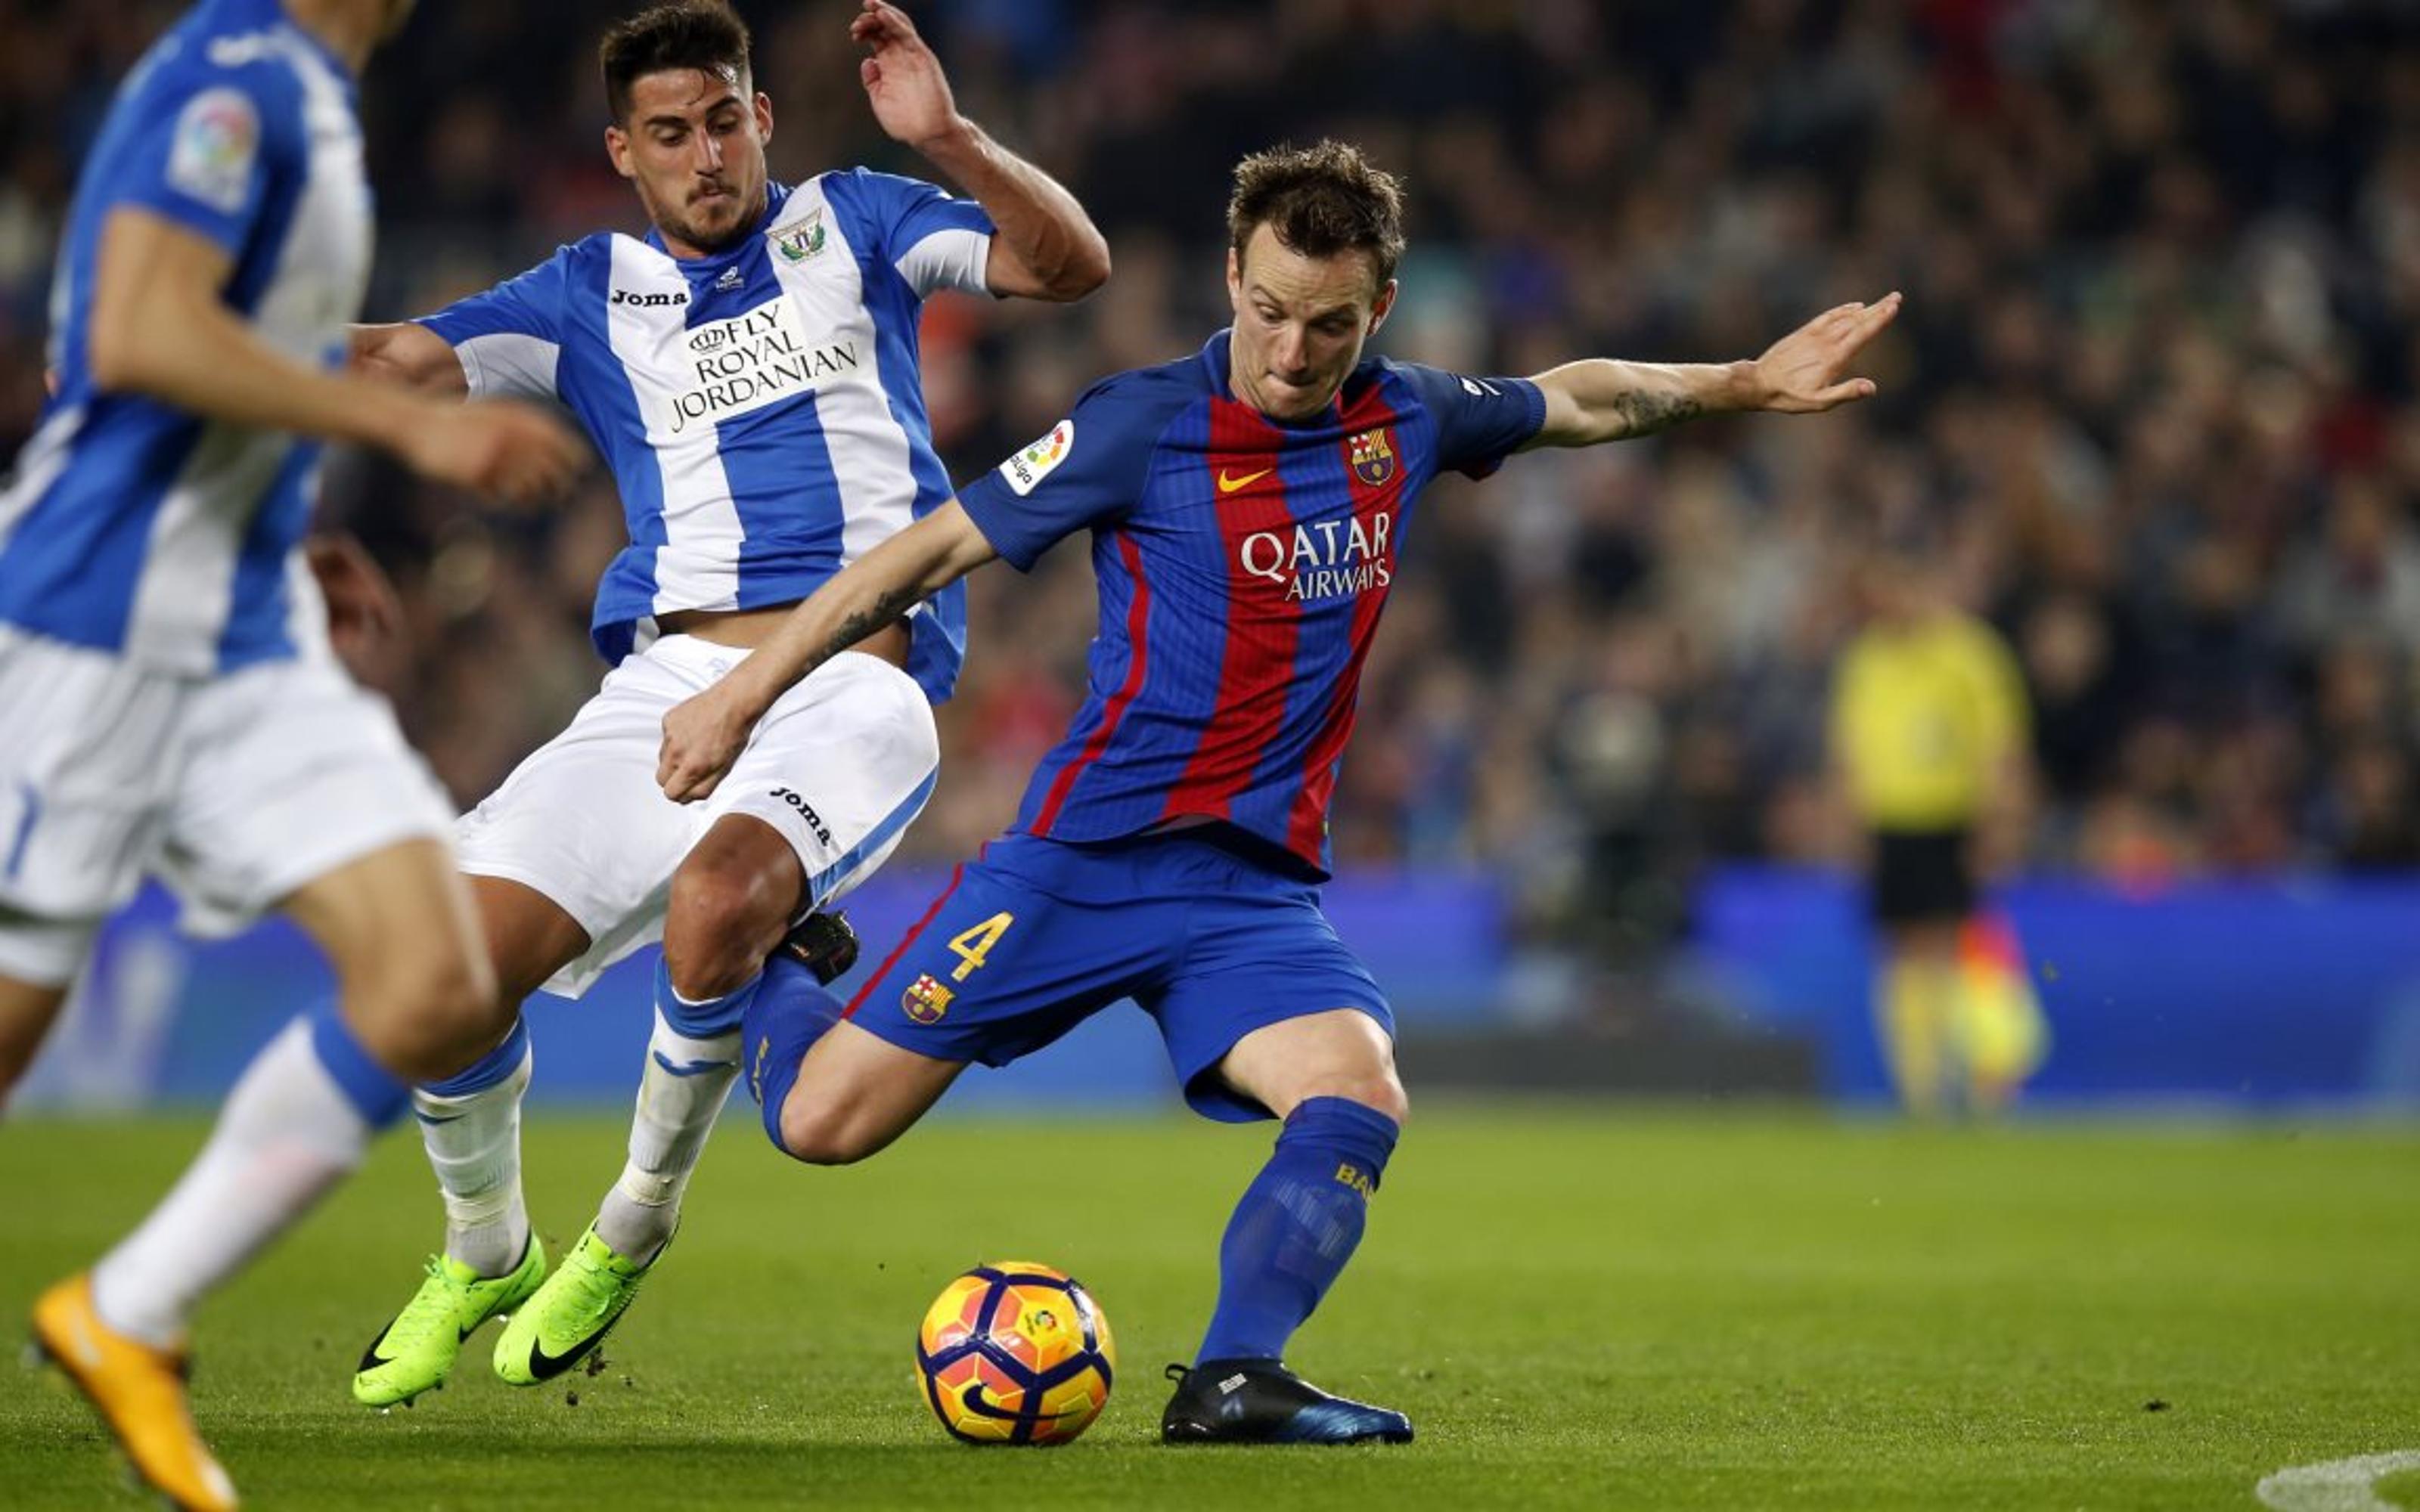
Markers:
{"x": 751, "y": 376}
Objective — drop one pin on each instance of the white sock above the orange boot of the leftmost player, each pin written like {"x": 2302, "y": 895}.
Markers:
{"x": 284, "y": 1138}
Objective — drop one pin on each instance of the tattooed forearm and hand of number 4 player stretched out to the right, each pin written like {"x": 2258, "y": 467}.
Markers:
{"x": 1802, "y": 374}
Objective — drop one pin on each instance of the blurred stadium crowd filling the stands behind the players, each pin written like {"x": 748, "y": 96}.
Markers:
{"x": 2153, "y": 408}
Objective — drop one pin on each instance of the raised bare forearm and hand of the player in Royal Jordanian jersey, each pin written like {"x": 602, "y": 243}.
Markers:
{"x": 1044, "y": 246}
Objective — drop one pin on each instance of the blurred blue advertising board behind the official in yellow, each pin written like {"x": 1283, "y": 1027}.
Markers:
{"x": 2259, "y": 993}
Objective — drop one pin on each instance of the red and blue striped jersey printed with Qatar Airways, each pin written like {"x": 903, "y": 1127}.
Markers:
{"x": 1243, "y": 565}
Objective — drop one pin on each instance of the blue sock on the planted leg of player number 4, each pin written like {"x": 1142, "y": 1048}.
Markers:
{"x": 1296, "y": 1228}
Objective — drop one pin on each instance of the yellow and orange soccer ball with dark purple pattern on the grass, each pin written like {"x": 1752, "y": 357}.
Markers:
{"x": 1015, "y": 1354}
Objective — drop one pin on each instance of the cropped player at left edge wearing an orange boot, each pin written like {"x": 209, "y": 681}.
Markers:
{"x": 166, "y": 681}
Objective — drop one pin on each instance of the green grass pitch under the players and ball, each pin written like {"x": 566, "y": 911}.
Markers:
{"x": 1579, "y": 1310}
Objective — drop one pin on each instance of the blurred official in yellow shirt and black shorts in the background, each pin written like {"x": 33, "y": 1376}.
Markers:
{"x": 1930, "y": 746}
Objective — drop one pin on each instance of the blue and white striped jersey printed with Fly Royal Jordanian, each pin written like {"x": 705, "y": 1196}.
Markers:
{"x": 761, "y": 408}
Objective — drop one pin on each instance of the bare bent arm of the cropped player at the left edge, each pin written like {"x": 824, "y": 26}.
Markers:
{"x": 161, "y": 330}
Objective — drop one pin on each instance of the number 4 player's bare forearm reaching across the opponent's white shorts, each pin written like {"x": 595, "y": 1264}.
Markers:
{"x": 705, "y": 734}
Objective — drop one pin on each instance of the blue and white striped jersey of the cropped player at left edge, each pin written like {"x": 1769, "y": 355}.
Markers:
{"x": 139, "y": 529}
